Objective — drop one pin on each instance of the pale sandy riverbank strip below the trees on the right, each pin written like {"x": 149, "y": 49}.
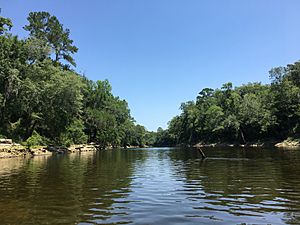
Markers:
{"x": 288, "y": 143}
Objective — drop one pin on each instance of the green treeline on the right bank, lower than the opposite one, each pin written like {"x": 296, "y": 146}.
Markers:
{"x": 249, "y": 113}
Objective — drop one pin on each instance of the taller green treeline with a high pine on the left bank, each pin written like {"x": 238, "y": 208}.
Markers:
{"x": 44, "y": 101}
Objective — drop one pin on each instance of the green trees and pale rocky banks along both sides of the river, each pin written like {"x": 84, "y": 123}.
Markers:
{"x": 44, "y": 101}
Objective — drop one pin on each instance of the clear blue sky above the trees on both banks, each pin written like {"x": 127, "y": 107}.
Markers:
{"x": 159, "y": 53}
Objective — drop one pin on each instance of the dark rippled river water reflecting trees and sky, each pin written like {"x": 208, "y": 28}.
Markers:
{"x": 153, "y": 186}
